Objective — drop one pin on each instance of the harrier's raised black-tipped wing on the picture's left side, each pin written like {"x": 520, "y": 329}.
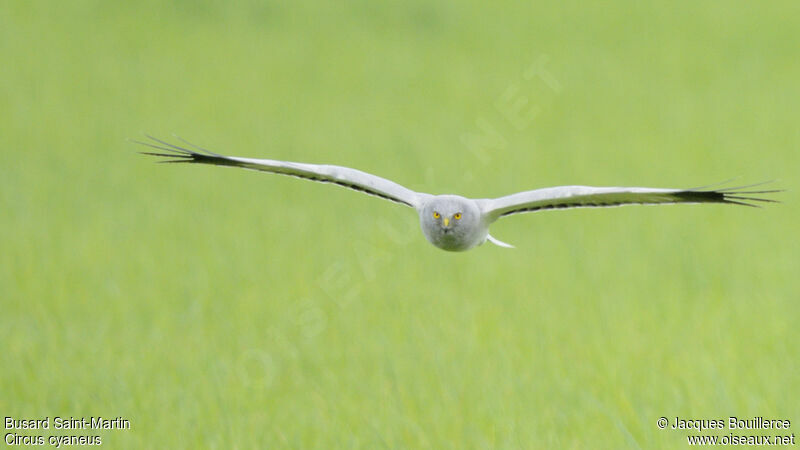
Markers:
{"x": 342, "y": 176}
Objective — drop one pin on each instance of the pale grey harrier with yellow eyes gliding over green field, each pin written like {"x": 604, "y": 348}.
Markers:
{"x": 456, "y": 223}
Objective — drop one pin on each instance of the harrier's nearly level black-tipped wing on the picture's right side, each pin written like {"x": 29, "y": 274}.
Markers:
{"x": 563, "y": 197}
